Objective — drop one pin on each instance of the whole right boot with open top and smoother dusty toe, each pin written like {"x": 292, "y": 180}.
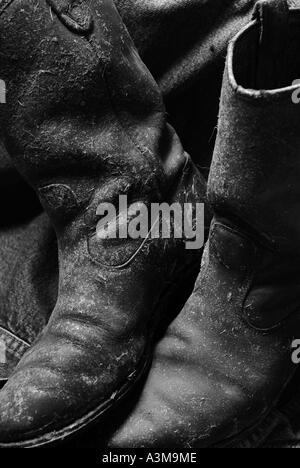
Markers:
{"x": 228, "y": 359}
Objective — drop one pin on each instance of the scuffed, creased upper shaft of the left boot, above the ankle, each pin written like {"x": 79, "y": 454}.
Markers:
{"x": 82, "y": 109}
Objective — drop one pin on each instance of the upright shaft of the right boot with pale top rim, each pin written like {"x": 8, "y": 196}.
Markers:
{"x": 256, "y": 166}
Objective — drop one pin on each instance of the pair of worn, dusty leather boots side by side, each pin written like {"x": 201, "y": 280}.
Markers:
{"x": 84, "y": 123}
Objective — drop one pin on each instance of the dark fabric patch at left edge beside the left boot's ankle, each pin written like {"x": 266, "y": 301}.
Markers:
{"x": 28, "y": 277}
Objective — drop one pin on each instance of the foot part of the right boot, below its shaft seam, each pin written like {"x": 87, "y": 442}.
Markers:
{"x": 219, "y": 372}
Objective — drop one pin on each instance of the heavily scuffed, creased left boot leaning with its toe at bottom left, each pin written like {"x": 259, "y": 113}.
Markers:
{"x": 84, "y": 123}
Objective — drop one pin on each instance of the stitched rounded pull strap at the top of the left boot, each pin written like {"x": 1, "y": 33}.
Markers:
{"x": 74, "y": 14}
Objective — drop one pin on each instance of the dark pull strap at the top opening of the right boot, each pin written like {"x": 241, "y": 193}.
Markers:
{"x": 273, "y": 16}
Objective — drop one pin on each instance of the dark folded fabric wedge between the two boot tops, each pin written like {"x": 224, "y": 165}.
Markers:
{"x": 183, "y": 43}
